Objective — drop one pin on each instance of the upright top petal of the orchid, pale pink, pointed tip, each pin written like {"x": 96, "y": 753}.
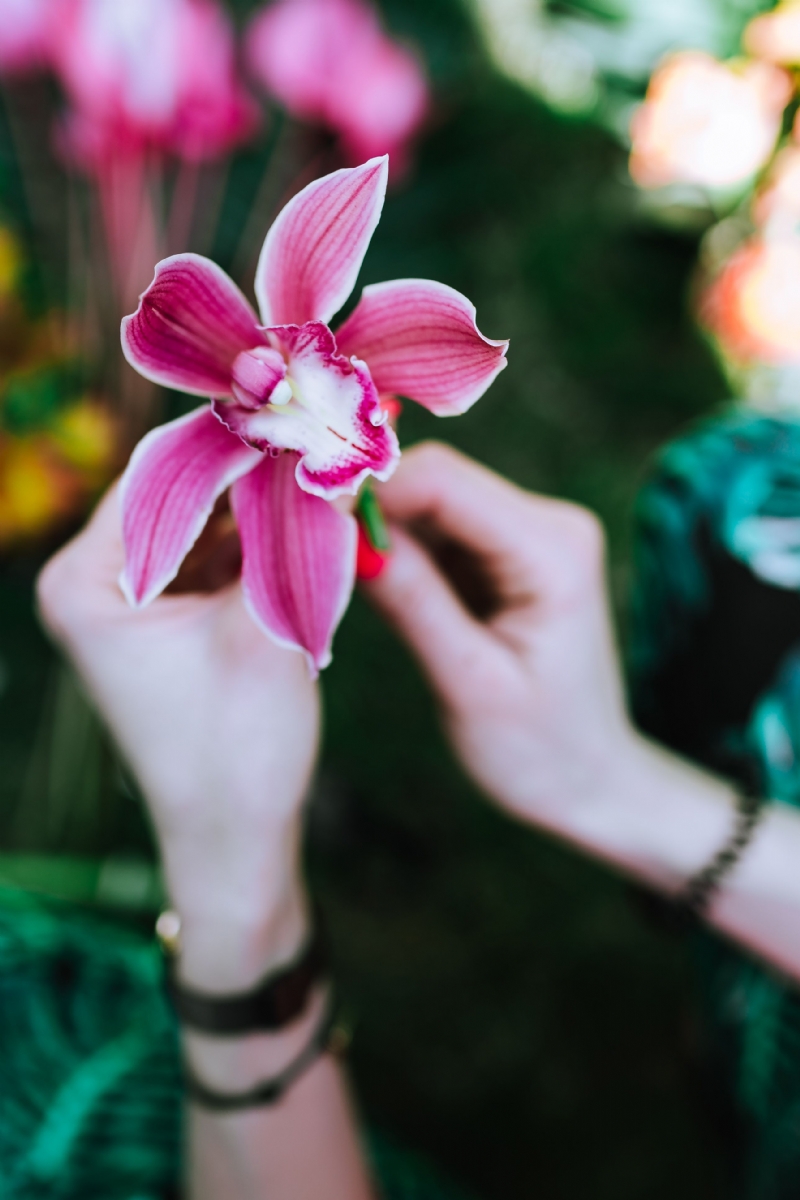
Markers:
{"x": 314, "y": 253}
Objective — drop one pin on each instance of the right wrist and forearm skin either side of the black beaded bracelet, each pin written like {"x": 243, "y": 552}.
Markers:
{"x": 661, "y": 820}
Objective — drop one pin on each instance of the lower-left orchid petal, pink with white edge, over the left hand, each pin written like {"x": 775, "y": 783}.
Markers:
{"x": 169, "y": 491}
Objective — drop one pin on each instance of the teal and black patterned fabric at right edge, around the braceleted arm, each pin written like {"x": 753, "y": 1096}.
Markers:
{"x": 715, "y": 668}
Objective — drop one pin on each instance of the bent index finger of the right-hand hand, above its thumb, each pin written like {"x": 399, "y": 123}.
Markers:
{"x": 532, "y": 545}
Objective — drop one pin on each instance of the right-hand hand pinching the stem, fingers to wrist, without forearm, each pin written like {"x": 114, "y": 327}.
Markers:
{"x": 531, "y": 694}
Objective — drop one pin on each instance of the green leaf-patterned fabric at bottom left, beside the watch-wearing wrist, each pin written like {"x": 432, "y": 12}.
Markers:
{"x": 91, "y": 1089}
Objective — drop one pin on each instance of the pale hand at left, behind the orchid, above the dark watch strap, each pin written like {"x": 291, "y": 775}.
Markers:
{"x": 220, "y": 728}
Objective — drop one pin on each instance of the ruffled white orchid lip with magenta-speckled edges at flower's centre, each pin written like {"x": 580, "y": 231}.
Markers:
{"x": 335, "y": 422}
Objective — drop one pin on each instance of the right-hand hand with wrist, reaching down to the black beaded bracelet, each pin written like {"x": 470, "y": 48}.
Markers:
{"x": 530, "y": 681}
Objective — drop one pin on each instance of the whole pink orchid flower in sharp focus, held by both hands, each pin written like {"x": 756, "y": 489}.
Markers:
{"x": 296, "y": 418}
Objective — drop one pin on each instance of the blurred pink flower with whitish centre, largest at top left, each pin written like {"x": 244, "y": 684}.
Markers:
{"x": 149, "y": 74}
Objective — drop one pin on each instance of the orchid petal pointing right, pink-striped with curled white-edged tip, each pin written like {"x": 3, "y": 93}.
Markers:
{"x": 420, "y": 340}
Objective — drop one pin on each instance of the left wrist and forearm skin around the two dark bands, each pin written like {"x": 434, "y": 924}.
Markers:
{"x": 306, "y": 1144}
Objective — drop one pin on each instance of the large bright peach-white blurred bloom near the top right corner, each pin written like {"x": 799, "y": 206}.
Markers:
{"x": 707, "y": 123}
